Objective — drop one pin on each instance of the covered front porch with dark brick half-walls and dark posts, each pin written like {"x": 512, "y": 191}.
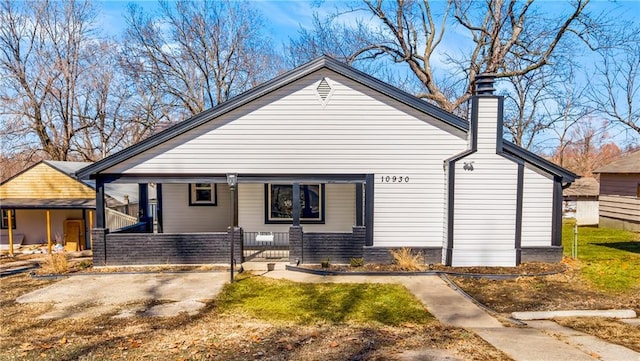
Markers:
{"x": 248, "y": 212}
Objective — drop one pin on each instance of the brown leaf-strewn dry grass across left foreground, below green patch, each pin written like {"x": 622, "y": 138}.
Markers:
{"x": 212, "y": 335}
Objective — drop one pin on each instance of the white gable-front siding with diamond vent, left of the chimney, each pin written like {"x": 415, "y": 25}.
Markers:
{"x": 357, "y": 131}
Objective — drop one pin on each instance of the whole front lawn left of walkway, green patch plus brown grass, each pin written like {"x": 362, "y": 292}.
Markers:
{"x": 256, "y": 318}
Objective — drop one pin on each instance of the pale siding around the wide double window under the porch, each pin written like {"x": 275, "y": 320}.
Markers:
{"x": 340, "y": 200}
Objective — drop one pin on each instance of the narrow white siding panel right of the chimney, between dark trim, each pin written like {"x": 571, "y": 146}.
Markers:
{"x": 537, "y": 209}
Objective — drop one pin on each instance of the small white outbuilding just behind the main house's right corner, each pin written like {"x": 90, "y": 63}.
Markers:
{"x": 581, "y": 201}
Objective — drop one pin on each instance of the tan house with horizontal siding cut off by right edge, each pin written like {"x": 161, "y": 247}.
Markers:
{"x": 620, "y": 193}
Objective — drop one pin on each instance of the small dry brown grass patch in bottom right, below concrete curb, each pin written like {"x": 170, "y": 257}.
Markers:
{"x": 605, "y": 328}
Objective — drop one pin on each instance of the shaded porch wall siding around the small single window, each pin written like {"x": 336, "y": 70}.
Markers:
{"x": 179, "y": 217}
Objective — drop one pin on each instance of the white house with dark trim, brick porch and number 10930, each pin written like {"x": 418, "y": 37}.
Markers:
{"x": 372, "y": 169}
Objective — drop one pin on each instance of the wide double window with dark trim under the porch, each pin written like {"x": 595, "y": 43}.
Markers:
{"x": 279, "y": 203}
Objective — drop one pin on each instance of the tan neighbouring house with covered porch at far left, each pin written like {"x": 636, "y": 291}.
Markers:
{"x": 47, "y": 200}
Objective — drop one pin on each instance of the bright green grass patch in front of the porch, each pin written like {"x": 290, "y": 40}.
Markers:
{"x": 305, "y": 303}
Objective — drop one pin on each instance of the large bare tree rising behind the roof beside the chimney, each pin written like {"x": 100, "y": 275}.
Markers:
{"x": 507, "y": 38}
